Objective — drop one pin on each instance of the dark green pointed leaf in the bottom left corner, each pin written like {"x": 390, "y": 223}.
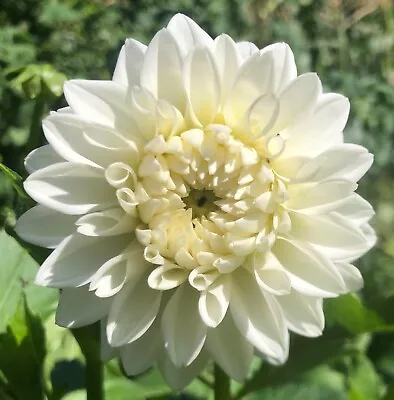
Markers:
{"x": 22, "y": 350}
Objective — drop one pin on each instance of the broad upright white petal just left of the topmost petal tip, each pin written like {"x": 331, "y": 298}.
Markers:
{"x": 161, "y": 71}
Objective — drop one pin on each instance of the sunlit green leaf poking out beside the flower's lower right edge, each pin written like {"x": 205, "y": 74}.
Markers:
{"x": 349, "y": 312}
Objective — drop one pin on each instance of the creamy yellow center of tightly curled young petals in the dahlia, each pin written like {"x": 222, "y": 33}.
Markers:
{"x": 206, "y": 201}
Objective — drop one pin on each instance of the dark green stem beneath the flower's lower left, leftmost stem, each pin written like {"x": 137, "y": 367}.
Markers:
{"x": 88, "y": 339}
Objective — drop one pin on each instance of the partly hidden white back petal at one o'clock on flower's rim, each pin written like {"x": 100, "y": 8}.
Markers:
{"x": 285, "y": 69}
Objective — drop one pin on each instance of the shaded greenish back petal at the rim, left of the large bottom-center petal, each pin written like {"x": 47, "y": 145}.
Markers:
{"x": 140, "y": 355}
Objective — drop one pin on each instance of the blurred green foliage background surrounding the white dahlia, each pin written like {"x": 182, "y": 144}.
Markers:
{"x": 350, "y": 43}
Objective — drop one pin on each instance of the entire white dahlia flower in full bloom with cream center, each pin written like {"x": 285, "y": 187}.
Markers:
{"x": 200, "y": 204}
